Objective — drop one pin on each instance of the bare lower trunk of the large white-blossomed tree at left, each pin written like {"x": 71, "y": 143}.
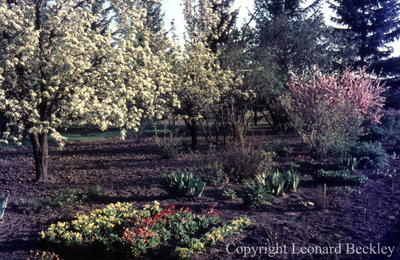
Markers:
{"x": 41, "y": 156}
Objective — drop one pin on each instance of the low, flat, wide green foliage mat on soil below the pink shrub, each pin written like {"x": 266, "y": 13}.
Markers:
{"x": 341, "y": 177}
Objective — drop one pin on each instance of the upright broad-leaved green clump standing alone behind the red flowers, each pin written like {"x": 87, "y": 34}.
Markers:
{"x": 183, "y": 184}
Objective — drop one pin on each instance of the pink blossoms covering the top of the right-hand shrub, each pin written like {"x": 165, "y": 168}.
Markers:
{"x": 359, "y": 90}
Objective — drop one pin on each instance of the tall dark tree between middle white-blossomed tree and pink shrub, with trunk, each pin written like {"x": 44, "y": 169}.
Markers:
{"x": 290, "y": 37}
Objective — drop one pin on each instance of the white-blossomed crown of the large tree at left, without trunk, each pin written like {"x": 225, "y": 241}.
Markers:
{"x": 56, "y": 69}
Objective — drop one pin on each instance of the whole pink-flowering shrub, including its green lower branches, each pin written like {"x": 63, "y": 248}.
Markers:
{"x": 327, "y": 110}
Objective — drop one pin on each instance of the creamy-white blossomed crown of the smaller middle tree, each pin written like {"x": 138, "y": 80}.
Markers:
{"x": 202, "y": 83}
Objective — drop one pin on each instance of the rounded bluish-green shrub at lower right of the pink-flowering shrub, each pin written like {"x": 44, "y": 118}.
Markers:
{"x": 371, "y": 155}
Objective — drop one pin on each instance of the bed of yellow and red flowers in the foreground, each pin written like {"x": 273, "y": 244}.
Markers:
{"x": 121, "y": 228}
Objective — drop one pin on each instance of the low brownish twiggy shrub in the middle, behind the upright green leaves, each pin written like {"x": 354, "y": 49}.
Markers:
{"x": 242, "y": 163}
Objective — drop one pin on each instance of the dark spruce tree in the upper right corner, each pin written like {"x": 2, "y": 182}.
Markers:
{"x": 370, "y": 25}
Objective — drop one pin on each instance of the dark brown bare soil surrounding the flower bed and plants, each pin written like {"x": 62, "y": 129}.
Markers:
{"x": 129, "y": 171}
